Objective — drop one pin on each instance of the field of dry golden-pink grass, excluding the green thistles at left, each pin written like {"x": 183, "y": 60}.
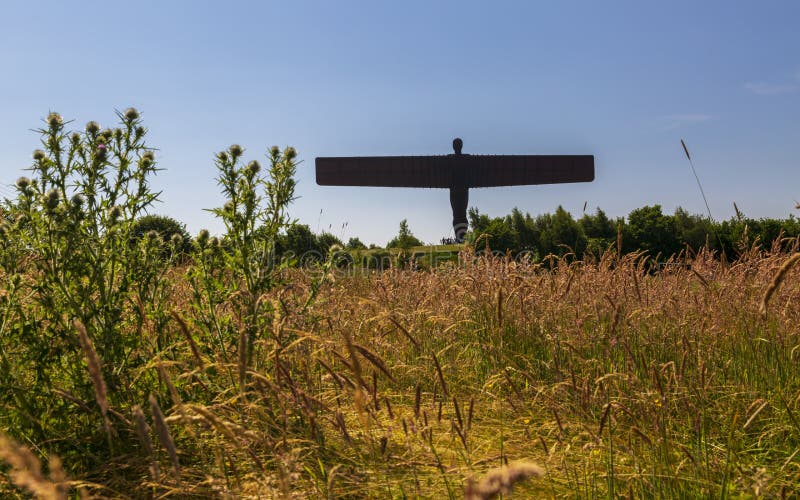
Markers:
{"x": 613, "y": 380}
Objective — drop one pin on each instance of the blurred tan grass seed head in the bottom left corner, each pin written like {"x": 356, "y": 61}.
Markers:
{"x": 26, "y": 471}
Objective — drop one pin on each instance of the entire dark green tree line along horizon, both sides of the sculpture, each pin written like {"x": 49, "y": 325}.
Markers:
{"x": 646, "y": 229}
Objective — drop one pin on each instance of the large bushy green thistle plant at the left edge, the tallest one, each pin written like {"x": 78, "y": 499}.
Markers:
{"x": 68, "y": 256}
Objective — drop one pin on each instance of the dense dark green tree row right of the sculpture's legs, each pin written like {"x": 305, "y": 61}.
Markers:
{"x": 644, "y": 229}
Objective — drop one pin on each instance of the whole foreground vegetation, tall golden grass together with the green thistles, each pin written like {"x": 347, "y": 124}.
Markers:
{"x": 131, "y": 367}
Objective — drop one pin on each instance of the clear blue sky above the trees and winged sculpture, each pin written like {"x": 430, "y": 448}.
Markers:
{"x": 623, "y": 80}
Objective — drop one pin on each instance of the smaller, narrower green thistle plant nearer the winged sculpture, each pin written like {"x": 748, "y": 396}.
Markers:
{"x": 242, "y": 267}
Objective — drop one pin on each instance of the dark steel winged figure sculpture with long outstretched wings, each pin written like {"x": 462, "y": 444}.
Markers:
{"x": 457, "y": 172}
